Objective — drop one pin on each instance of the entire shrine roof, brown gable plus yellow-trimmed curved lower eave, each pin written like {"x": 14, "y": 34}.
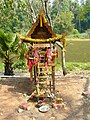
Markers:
{"x": 41, "y": 32}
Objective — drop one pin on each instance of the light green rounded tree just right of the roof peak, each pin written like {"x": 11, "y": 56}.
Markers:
{"x": 62, "y": 17}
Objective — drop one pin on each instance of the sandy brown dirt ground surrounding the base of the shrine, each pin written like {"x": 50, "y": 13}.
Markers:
{"x": 14, "y": 91}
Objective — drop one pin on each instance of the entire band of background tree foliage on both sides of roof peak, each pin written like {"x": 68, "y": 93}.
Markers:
{"x": 16, "y": 16}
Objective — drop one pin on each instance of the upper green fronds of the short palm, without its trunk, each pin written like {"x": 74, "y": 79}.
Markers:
{"x": 8, "y": 41}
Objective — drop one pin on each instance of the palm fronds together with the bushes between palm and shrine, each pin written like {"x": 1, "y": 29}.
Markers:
{"x": 9, "y": 52}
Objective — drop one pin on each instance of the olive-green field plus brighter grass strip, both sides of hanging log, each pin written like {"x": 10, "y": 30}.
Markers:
{"x": 77, "y": 55}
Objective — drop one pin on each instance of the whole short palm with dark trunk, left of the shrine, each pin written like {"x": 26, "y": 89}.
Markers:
{"x": 8, "y": 50}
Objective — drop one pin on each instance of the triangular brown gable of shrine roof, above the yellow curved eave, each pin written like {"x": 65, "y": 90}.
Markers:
{"x": 41, "y": 29}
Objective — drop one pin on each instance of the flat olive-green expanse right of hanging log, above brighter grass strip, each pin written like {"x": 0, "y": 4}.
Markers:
{"x": 78, "y": 51}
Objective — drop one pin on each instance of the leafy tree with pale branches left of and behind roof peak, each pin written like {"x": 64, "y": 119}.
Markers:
{"x": 19, "y": 15}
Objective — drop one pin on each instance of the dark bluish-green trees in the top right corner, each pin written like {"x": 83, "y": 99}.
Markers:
{"x": 81, "y": 11}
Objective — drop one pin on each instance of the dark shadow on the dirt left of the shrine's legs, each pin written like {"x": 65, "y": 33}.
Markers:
{"x": 20, "y": 85}
